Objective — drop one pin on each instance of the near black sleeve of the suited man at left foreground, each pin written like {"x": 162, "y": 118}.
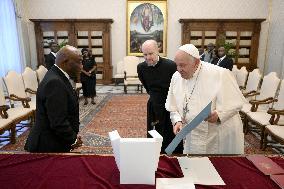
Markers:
{"x": 56, "y": 107}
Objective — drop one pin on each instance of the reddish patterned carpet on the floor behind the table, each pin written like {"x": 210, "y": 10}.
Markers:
{"x": 124, "y": 113}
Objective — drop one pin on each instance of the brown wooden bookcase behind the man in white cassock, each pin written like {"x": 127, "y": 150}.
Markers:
{"x": 246, "y": 47}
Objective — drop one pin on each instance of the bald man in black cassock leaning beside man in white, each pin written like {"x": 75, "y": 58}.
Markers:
{"x": 155, "y": 73}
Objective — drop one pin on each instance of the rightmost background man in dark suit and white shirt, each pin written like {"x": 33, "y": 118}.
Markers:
{"x": 223, "y": 61}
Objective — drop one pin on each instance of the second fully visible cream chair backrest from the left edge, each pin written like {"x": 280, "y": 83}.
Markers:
{"x": 30, "y": 79}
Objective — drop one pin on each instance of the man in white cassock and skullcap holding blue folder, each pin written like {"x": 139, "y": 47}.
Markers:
{"x": 192, "y": 87}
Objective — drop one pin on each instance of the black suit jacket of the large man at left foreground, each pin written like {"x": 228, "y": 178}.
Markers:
{"x": 57, "y": 115}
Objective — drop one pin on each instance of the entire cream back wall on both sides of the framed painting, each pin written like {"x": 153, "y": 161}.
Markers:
{"x": 177, "y": 9}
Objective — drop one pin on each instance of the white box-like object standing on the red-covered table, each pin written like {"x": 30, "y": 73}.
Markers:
{"x": 136, "y": 158}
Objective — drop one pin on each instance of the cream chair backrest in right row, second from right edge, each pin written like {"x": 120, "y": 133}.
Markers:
{"x": 269, "y": 86}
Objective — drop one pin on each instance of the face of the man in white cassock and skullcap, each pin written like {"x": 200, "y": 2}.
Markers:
{"x": 186, "y": 65}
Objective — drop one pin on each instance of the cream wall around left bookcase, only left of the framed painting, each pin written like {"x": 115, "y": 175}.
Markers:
{"x": 89, "y": 9}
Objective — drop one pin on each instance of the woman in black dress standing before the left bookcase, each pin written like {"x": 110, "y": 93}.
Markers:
{"x": 88, "y": 76}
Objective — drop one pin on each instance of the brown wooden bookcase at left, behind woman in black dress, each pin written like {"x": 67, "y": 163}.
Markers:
{"x": 72, "y": 26}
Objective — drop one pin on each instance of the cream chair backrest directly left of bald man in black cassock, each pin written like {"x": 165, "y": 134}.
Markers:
{"x": 130, "y": 65}
